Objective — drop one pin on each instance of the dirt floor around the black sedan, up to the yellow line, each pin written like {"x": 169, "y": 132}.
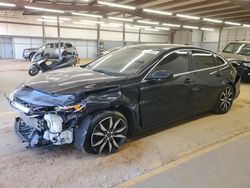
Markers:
{"x": 66, "y": 167}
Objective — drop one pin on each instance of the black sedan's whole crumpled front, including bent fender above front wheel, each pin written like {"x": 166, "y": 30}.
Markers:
{"x": 57, "y": 119}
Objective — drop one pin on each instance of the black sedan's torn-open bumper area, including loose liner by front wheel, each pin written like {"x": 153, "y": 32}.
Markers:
{"x": 52, "y": 129}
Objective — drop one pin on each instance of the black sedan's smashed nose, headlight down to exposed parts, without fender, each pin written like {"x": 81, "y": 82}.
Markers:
{"x": 45, "y": 119}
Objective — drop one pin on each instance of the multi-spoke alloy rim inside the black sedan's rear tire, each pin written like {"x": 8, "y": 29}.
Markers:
{"x": 226, "y": 98}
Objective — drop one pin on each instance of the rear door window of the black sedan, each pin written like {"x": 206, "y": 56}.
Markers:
{"x": 202, "y": 60}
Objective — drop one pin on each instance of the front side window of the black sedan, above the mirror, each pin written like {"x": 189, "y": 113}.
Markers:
{"x": 177, "y": 62}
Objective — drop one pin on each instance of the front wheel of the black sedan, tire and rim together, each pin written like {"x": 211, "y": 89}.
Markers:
{"x": 107, "y": 133}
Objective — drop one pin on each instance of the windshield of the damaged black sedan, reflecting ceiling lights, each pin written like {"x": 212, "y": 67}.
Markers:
{"x": 125, "y": 61}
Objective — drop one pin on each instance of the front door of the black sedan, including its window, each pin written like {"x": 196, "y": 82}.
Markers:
{"x": 164, "y": 101}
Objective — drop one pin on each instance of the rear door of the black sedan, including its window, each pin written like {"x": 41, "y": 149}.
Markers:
{"x": 208, "y": 80}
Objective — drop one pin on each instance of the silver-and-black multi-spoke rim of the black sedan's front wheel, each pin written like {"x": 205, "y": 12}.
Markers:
{"x": 108, "y": 135}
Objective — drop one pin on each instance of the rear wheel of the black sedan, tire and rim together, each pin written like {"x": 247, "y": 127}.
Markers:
{"x": 225, "y": 100}
